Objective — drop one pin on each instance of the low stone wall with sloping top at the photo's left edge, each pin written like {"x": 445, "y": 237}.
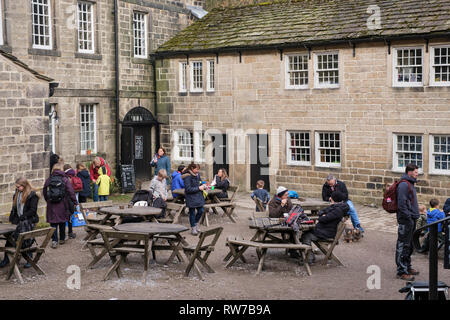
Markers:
{"x": 23, "y": 94}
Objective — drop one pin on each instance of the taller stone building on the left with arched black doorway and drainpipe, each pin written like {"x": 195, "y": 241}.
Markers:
{"x": 73, "y": 42}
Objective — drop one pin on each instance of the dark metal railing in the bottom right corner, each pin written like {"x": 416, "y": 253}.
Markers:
{"x": 433, "y": 254}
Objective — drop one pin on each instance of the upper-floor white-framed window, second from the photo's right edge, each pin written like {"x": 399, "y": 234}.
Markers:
{"x": 408, "y": 67}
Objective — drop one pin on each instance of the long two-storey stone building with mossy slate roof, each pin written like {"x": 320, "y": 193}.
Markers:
{"x": 300, "y": 89}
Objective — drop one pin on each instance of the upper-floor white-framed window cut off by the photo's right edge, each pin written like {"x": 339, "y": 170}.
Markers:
{"x": 440, "y": 66}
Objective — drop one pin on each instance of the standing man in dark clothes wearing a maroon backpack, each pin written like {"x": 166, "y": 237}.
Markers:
{"x": 407, "y": 214}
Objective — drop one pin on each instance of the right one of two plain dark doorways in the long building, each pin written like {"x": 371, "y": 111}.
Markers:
{"x": 259, "y": 160}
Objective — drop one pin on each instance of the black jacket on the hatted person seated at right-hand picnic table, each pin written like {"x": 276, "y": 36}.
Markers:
{"x": 329, "y": 219}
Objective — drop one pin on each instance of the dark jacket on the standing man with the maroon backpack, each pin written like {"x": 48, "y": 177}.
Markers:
{"x": 408, "y": 208}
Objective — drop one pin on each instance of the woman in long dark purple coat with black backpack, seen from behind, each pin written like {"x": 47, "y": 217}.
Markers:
{"x": 59, "y": 194}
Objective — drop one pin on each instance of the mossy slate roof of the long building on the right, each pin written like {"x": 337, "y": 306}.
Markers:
{"x": 285, "y": 23}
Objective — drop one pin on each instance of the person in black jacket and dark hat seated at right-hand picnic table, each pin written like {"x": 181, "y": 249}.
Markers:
{"x": 329, "y": 218}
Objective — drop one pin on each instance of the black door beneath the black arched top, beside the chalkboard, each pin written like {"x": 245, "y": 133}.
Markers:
{"x": 142, "y": 152}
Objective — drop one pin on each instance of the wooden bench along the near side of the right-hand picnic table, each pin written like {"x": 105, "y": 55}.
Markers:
{"x": 238, "y": 247}
